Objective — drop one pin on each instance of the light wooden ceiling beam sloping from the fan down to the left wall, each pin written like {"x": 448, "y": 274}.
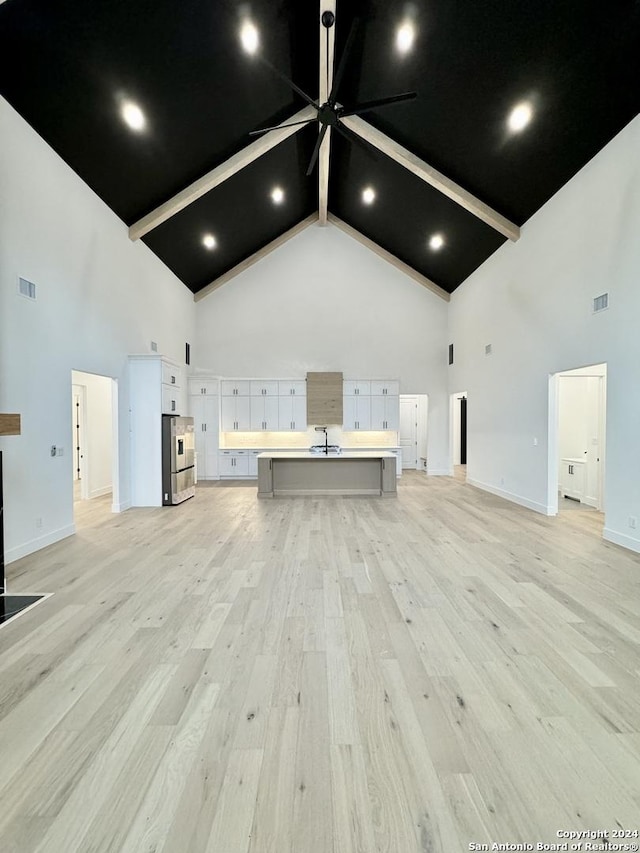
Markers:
{"x": 220, "y": 174}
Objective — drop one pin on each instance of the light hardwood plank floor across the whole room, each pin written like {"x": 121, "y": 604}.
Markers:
{"x": 321, "y": 675}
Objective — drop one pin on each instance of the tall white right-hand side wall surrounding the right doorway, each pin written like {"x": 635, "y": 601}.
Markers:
{"x": 532, "y": 301}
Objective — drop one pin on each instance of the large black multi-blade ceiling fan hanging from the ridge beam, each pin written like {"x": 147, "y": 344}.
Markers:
{"x": 330, "y": 113}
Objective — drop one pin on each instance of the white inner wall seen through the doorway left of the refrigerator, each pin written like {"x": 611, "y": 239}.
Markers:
{"x": 97, "y": 441}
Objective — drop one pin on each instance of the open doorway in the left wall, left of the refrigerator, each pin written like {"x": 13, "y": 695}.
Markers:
{"x": 94, "y": 437}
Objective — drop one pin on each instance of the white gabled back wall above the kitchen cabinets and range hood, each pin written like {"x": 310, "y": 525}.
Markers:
{"x": 325, "y": 302}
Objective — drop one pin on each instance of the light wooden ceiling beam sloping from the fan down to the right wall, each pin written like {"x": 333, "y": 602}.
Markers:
{"x": 431, "y": 176}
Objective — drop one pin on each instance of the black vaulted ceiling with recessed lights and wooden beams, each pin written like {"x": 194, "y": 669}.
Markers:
{"x": 447, "y": 163}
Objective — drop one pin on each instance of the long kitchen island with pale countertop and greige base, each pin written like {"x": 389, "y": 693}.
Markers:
{"x": 370, "y": 472}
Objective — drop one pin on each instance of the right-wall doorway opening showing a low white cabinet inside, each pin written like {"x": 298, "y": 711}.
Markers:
{"x": 577, "y": 432}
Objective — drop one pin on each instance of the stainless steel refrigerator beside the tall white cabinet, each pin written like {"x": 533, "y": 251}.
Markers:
{"x": 178, "y": 445}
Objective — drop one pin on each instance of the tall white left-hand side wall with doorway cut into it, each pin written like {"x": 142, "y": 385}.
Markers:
{"x": 99, "y": 297}
